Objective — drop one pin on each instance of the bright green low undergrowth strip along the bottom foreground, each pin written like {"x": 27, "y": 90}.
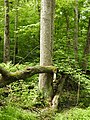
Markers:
{"x": 15, "y": 113}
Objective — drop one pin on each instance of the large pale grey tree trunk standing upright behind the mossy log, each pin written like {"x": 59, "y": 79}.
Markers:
{"x": 45, "y": 80}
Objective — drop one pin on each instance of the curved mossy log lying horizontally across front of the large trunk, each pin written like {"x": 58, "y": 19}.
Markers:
{"x": 9, "y": 77}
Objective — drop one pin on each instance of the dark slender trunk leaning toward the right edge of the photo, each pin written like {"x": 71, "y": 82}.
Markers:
{"x": 86, "y": 49}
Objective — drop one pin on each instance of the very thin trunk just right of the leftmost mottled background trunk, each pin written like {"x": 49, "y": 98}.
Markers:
{"x": 16, "y": 34}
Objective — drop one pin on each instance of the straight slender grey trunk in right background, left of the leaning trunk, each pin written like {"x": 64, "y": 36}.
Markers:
{"x": 76, "y": 31}
